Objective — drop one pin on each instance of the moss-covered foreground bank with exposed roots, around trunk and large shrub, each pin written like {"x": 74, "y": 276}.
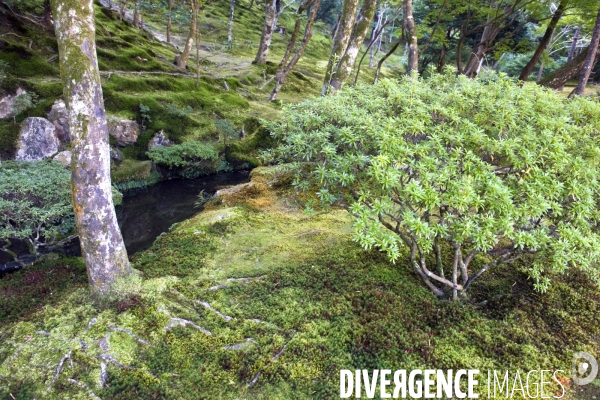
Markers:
{"x": 253, "y": 299}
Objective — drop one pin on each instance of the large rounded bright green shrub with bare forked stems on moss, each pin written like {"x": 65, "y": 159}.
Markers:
{"x": 467, "y": 175}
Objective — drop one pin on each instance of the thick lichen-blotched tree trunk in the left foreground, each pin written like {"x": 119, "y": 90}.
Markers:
{"x": 95, "y": 219}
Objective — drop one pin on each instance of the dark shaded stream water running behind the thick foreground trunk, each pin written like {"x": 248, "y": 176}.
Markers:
{"x": 146, "y": 213}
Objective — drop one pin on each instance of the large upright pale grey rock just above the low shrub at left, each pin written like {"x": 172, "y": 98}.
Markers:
{"x": 37, "y": 140}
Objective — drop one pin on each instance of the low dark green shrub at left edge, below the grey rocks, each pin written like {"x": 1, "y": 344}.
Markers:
{"x": 35, "y": 204}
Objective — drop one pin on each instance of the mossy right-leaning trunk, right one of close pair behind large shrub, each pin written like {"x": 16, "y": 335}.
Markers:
{"x": 344, "y": 68}
